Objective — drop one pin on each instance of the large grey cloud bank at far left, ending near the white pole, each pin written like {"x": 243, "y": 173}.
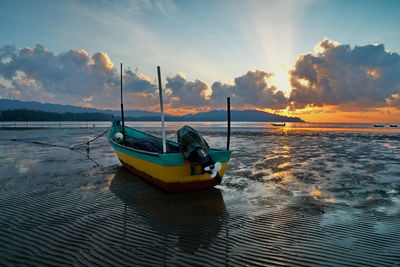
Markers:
{"x": 71, "y": 77}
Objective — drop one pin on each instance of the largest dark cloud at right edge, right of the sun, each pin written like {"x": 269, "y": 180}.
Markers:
{"x": 350, "y": 78}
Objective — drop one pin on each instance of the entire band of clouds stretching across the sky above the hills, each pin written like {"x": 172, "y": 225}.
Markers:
{"x": 335, "y": 75}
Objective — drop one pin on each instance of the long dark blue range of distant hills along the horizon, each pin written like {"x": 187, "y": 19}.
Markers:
{"x": 67, "y": 113}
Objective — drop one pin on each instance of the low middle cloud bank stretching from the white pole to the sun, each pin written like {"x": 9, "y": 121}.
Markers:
{"x": 248, "y": 91}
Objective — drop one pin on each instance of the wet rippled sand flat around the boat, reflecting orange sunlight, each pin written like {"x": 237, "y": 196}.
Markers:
{"x": 289, "y": 197}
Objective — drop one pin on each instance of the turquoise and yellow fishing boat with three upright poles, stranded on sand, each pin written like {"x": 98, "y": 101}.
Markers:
{"x": 187, "y": 165}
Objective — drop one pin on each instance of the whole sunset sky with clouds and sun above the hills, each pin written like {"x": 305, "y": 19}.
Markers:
{"x": 321, "y": 60}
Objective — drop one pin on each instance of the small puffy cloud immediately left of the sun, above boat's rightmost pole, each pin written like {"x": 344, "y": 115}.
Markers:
{"x": 250, "y": 89}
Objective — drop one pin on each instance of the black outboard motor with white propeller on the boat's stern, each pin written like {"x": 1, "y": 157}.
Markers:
{"x": 195, "y": 149}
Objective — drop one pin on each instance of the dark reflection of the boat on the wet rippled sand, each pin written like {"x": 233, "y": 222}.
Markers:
{"x": 193, "y": 219}
